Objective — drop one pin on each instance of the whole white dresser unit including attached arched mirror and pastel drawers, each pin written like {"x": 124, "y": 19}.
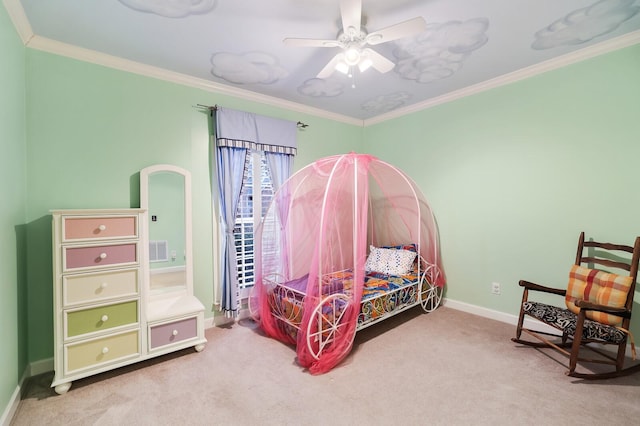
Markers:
{"x": 112, "y": 305}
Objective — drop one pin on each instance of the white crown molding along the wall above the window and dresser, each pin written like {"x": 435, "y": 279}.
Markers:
{"x": 92, "y": 56}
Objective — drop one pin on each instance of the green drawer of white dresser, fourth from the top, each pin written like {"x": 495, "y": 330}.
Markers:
{"x": 101, "y": 318}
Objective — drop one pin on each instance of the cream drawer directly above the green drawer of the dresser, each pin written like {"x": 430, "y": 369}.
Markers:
{"x": 95, "y": 287}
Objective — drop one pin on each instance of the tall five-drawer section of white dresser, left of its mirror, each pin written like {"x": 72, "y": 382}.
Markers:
{"x": 97, "y": 292}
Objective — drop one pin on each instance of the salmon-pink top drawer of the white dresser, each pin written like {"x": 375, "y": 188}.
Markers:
{"x": 84, "y": 228}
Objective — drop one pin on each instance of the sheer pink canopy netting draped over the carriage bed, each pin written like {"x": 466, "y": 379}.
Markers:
{"x": 322, "y": 220}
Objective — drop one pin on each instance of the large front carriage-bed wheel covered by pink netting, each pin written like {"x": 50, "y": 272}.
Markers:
{"x": 327, "y": 322}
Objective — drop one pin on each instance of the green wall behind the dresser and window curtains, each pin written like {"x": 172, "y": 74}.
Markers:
{"x": 91, "y": 130}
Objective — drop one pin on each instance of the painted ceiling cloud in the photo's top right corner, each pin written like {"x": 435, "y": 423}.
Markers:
{"x": 585, "y": 24}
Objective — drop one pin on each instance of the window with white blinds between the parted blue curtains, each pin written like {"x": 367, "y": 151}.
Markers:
{"x": 255, "y": 198}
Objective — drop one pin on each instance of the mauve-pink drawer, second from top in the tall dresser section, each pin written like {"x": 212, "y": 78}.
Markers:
{"x": 98, "y": 256}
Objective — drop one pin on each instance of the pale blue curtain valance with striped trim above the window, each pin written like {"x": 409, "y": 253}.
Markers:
{"x": 239, "y": 129}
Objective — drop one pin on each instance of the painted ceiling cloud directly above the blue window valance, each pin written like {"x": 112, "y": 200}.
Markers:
{"x": 247, "y": 68}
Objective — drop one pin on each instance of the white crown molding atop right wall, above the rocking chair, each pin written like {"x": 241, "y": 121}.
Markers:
{"x": 611, "y": 45}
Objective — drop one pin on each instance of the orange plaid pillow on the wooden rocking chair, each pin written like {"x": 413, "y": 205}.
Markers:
{"x": 598, "y": 287}
